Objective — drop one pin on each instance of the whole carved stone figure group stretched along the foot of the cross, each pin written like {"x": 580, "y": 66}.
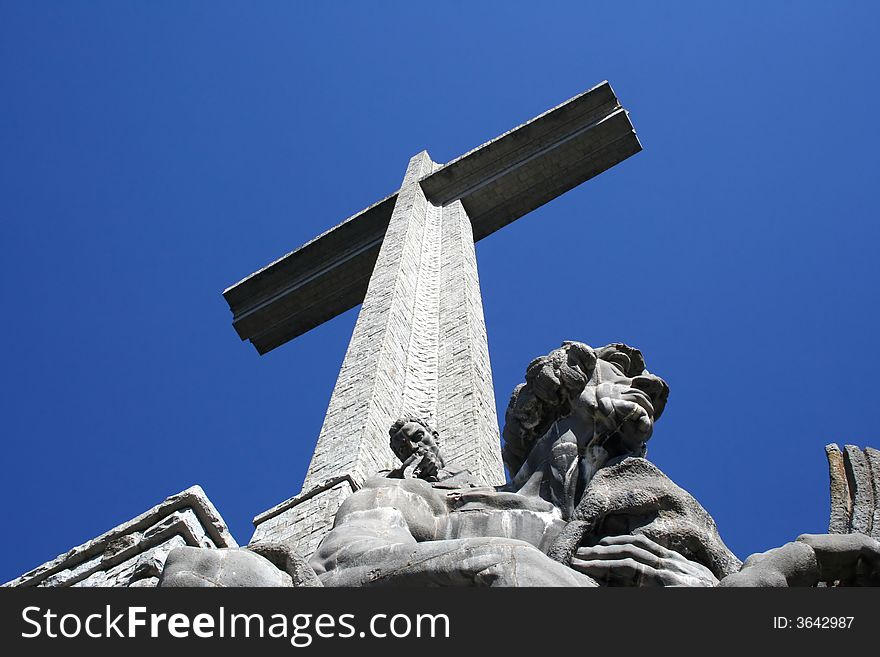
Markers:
{"x": 583, "y": 506}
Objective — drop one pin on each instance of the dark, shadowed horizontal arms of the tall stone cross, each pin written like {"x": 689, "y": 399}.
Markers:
{"x": 497, "y": 183}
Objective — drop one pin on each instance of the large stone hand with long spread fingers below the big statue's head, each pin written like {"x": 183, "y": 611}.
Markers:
{"x": 638, "y": 561}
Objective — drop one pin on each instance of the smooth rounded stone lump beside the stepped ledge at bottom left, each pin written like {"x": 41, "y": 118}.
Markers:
{"x": 204, "y": 567}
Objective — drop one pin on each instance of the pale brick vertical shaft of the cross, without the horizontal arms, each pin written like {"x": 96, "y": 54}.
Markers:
{"x": 419, "y": 346}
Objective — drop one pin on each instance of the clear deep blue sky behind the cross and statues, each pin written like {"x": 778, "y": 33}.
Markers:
{"x": 152, "y": 154}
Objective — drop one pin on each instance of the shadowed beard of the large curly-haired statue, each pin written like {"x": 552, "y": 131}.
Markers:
{"x": 622, "y": 426}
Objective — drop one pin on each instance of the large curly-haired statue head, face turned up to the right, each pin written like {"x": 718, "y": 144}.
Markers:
{"x": 608, "y": 390}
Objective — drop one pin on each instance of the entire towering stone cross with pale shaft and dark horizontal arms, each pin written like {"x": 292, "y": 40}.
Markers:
{"x": 419, "y": 345}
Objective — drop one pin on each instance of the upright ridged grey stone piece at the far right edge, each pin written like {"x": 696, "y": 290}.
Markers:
{"x": 855, "y": 490}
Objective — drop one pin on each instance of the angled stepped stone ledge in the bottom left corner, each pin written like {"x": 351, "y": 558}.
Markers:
{"x": 134, "y": 553}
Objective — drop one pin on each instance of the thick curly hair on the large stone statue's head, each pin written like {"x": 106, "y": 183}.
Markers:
{"x": 552, "y": 382}
